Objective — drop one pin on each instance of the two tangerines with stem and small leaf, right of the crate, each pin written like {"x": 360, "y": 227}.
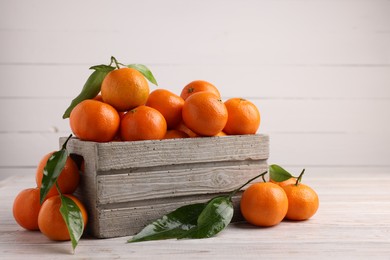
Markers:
{"x": 282, "y": 197}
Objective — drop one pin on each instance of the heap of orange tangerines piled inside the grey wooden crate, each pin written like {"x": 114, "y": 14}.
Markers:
{"x": 126, "y": 110}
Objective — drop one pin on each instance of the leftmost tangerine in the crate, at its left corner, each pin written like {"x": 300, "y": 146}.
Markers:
{"x": 92, "y": 120}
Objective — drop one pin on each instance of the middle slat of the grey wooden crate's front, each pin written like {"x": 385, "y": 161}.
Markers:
{"x": 176, "y": 181}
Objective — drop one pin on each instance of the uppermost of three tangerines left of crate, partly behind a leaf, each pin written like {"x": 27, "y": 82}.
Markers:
{"x": 67, "y": 181}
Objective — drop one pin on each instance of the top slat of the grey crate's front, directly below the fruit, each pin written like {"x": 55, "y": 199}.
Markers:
{"x": 123, "y": 155}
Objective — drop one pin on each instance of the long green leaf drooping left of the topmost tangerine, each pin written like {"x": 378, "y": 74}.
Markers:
{"x": 91, "y": 87}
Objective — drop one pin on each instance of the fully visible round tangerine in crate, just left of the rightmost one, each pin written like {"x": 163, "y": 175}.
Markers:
{"x": 205, "y": 113}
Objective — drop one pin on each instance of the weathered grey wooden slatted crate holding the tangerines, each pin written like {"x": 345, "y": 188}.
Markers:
{"x": 126, "y": 185}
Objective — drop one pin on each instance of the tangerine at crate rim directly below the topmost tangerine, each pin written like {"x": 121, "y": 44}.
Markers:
{"x": 143, "y": 123}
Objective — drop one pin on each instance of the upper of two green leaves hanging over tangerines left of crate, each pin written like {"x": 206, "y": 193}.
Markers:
{"x": 52, "y": 171}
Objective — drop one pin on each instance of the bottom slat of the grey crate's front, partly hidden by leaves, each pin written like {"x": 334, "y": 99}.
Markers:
{"x": 127, "y": 221}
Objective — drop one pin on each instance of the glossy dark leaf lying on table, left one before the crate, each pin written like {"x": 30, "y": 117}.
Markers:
{"x": 172, "y": 225}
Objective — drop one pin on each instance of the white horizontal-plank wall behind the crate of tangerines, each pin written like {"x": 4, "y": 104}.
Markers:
{"x": 318, "y": 70}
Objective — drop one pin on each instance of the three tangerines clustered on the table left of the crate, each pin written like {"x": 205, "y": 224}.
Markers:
{"x": 31, "y": 215}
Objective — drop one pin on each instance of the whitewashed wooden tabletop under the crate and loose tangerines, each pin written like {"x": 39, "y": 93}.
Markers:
{"x": 353, "y": 222}
